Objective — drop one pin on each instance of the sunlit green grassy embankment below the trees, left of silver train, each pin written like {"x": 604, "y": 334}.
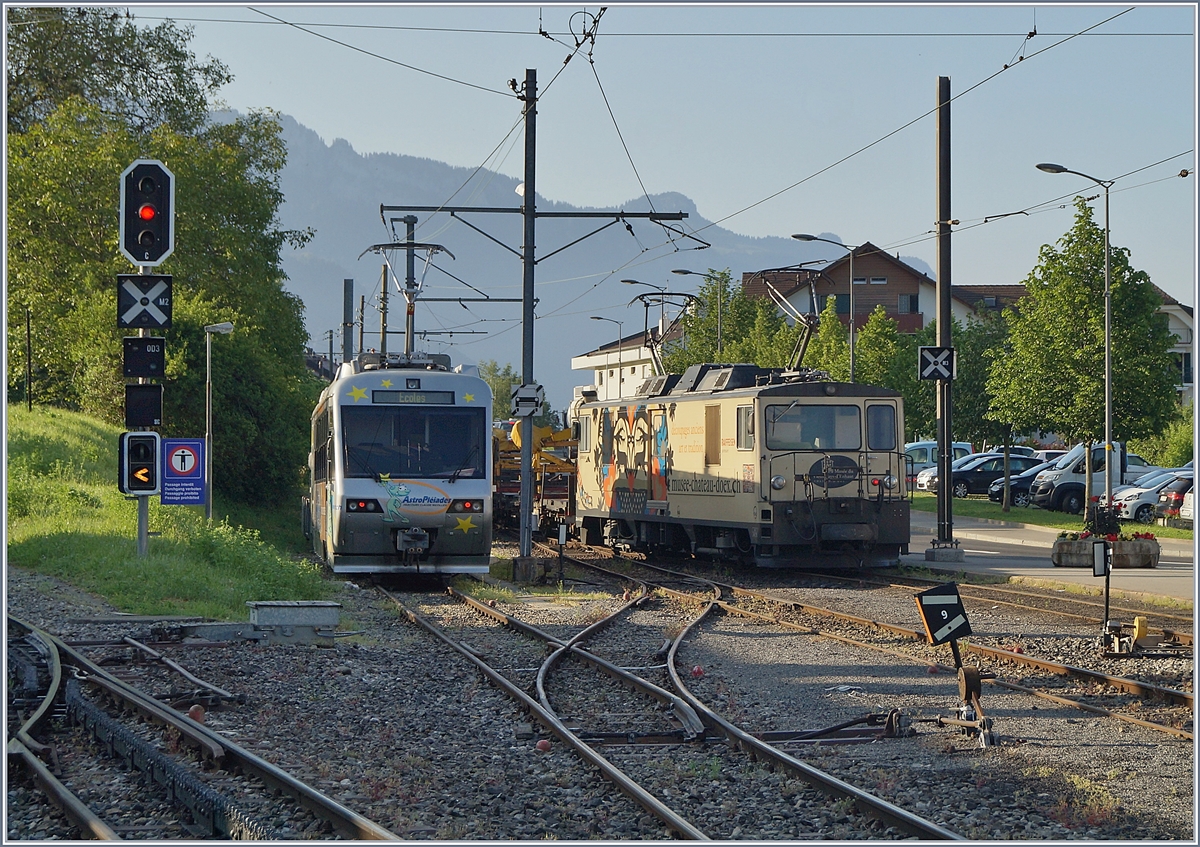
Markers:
{"x": 68, "y": 520}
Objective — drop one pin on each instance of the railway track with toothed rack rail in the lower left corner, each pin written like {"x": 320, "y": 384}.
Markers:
{"x": 81, "y": 717}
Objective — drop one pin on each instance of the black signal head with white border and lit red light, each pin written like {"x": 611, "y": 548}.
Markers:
{"x": 148, "y": 213}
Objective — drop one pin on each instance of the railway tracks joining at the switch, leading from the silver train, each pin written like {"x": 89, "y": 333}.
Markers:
{"x": 699, "y": 782}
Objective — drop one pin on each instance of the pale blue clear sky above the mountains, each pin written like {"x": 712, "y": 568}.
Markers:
{"x": 775, "y": 119}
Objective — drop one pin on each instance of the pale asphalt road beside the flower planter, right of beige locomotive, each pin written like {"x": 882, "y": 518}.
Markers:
{"x": 1024, "y": 550}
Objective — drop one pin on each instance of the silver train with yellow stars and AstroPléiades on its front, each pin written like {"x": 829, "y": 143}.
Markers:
{"x": 401, "y": 468}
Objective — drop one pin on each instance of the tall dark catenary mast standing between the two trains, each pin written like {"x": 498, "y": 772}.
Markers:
{"x": 527, "y": 303}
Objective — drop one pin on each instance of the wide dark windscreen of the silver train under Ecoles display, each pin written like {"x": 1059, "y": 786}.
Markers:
{"x": 415, "y": 442}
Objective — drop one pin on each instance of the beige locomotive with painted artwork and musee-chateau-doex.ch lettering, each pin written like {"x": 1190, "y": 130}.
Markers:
{"x": 767, "y": 467}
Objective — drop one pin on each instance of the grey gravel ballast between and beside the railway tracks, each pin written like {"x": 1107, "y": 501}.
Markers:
{"x": 406, "y": 734}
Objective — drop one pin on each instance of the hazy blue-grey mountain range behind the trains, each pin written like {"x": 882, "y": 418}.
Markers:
{"x": 339, "y": 194}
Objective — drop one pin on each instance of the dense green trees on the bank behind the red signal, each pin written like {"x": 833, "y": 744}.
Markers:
{"x": 80, "y": 118}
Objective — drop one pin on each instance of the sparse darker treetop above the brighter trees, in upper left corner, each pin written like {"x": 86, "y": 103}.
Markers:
{"x": 140, "y": 77}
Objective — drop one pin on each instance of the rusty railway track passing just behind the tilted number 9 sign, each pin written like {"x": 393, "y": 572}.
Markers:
{"x": 1099, "y": 692}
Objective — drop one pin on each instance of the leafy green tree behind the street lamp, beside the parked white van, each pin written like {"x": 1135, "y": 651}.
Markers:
{"x": 1053, "y": 380}
